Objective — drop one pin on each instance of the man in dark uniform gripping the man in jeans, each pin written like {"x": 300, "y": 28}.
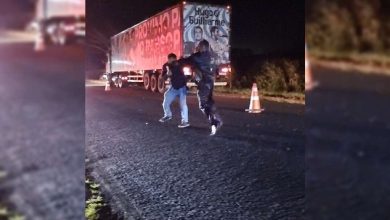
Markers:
{"x": 204, "y": 78}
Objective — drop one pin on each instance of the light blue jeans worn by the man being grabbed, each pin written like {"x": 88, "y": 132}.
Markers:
{"x": 170, "y": 96}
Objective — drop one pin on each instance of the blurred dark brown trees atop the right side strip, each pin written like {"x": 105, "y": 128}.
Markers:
{"x": 348, "y": 25}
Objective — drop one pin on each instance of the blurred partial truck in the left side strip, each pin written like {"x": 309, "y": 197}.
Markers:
{"x": 60, "y": 21}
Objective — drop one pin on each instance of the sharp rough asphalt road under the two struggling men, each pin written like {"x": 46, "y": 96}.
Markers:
{"x": 252, "y": 169}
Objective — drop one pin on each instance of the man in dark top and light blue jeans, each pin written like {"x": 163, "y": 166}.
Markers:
{"x": 178, "y": 87}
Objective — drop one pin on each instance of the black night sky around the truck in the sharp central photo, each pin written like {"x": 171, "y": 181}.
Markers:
{"x": 264, "y": 26}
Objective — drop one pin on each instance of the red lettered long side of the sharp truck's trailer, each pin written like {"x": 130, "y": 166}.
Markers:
{"x": 146, "y": 45}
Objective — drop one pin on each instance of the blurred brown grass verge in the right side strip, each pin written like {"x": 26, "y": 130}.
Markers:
{"x": 371, "y": 59}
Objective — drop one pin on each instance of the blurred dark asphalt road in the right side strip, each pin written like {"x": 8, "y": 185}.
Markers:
{"x": 347, "y": 148}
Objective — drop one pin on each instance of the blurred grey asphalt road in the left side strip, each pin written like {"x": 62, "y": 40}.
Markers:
{"x": 42, "y": 131}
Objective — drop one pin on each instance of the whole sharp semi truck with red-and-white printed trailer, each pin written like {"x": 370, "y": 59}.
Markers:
{"x": 138, "y": 53}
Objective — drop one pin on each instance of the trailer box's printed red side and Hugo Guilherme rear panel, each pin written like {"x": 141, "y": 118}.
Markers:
{"x": 178, "y": 30}
